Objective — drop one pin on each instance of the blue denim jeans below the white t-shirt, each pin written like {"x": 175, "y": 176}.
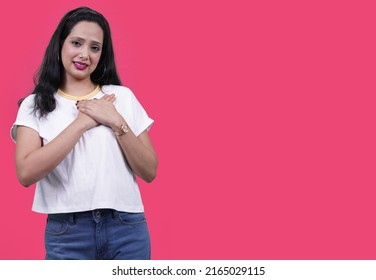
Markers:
{"x": 102, "y": 234}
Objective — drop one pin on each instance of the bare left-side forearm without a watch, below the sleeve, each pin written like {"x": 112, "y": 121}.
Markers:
{"x": 38, "y": 163}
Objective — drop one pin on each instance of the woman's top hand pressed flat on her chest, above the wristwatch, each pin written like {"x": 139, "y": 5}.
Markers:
{"x": 102, "y": 110}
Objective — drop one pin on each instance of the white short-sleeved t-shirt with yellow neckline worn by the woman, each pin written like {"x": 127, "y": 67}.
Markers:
{"x": 95, "y": 173}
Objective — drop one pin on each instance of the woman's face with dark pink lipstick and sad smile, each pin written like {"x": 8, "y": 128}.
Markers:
{"x": 82, "y": 50}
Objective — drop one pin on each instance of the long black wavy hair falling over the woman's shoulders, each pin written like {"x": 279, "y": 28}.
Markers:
{"x": 51, "y": 72}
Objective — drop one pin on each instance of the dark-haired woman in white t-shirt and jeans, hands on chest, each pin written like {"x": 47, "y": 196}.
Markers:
{"x": 82, "y": 137}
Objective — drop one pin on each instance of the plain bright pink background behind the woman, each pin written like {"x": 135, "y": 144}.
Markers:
{"x": 265, "y": 123}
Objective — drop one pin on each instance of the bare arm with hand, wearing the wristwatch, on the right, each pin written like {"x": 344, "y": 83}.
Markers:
{"x": 138, "y": 151}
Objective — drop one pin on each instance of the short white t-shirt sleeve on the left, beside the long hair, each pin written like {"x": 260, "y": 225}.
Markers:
{"x": 25, "y": 117}
